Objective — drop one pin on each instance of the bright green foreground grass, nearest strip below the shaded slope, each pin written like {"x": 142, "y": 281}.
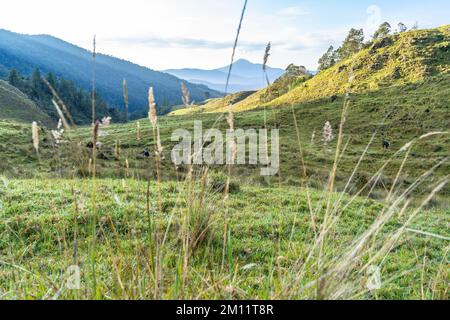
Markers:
{"x": 47, "y": 227}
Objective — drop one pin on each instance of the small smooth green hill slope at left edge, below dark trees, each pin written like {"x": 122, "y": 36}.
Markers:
{"x": 14, "y": 105}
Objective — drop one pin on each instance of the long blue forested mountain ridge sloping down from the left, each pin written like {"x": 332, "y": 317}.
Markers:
{"x": 49, "y": 54}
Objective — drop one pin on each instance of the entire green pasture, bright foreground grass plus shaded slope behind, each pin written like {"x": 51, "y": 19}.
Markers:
{"x": 285, "y": 237}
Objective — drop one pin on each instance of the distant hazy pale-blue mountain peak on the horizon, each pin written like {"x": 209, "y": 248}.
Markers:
{"x": 246, "y": 76}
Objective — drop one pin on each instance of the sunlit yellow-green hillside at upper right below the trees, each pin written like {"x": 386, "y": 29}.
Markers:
{"x": 398, "y": 60}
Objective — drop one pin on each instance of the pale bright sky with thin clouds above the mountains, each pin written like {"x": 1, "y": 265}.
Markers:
{"x": 166, "y": 34}
